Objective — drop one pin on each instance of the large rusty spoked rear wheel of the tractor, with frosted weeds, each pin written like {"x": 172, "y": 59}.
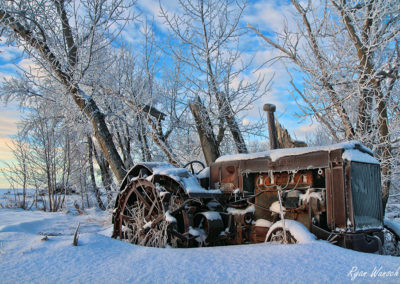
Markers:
{"x": 148, "y": 215}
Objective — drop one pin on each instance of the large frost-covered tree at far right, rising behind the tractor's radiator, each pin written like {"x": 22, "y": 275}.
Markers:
{"x": 349, "y": 53}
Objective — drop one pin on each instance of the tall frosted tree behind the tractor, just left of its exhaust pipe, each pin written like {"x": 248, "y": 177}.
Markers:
{"x": 208, "y": 33}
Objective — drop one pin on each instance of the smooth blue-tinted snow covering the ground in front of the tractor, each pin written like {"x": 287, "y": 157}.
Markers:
{"x": 26, "y": 258}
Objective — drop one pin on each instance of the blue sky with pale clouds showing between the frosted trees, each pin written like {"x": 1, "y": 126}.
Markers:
{"x": 264, "y": 14}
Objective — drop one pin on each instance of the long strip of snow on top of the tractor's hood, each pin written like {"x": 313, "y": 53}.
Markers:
{"x": 279, "y": 153}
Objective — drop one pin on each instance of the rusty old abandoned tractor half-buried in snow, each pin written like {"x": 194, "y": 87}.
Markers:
{"x": 330, "y": 192}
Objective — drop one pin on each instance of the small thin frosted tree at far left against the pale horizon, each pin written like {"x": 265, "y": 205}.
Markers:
{"x": 44, "y": 158}
